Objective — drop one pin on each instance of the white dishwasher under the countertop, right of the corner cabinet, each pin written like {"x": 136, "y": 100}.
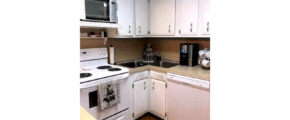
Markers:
{"x": 188, "y": 98}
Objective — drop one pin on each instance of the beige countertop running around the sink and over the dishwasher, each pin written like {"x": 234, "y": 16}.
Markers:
{"x": 196, "y": 71}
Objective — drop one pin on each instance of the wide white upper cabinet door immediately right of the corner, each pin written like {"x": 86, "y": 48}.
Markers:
{"x": 162, "y": 17}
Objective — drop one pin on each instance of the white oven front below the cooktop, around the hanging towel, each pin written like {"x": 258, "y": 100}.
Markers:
{"x": 88, "y": 99}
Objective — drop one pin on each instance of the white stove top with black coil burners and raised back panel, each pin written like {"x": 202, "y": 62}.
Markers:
{"x": 93, "y": 65}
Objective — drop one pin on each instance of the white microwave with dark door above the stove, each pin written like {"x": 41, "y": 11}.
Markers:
{"x": 98, "y": 10}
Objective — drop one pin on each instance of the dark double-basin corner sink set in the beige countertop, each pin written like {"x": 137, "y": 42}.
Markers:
{"x": 136, "y": 64}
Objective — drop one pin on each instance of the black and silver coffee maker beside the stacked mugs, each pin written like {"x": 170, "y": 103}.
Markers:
{"x": 188, "y": 54}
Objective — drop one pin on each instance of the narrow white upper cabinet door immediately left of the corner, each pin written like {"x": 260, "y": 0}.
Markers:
{"x": 141, "y": 17}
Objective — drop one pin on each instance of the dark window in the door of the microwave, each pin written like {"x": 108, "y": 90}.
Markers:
{"x": 97, "y": 9}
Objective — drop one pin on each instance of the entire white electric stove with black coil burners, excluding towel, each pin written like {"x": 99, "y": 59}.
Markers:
{"x": 93, "y": 70}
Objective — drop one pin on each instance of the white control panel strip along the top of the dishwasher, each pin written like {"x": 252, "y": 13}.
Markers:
{"x": 189, "y": 80}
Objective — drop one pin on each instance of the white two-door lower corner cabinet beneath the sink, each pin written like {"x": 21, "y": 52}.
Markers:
{"x": 148, "y": 94}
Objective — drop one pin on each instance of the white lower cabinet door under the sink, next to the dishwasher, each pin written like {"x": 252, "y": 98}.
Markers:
{"x": 157, "y": 97}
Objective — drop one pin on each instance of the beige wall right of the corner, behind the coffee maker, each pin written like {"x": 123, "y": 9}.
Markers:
{"x": 169, "y": 47}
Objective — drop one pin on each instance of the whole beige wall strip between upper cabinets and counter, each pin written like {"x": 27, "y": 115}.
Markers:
{"x": 132, "y": 48}
